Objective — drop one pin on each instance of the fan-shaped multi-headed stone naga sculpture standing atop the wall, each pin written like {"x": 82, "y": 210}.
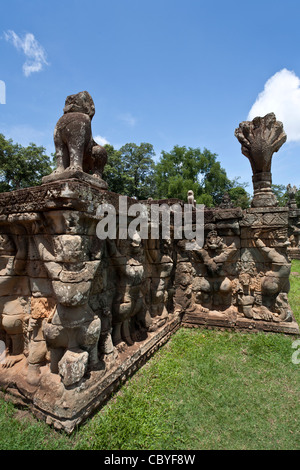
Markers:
{"x": 259, "y": 139}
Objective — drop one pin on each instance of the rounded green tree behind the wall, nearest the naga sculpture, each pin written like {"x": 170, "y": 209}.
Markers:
{"x": 185, "y": 169}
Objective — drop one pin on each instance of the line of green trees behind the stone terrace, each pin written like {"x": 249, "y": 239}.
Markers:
{"x": 132, "y": 171}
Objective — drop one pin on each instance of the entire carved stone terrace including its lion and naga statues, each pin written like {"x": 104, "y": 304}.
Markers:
{"x": 79, "y": 314}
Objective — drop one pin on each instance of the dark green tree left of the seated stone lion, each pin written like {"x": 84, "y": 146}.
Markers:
{"x": 22, "y": 167}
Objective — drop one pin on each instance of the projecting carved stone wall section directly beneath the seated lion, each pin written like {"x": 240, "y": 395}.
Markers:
{"x": 77, "y": 313}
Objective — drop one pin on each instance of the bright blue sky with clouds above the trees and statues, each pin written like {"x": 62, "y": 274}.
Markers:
{"x": 167, "y": 72}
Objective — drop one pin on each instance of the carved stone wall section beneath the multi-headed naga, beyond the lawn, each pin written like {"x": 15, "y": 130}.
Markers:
{"x": 241, "y": 275}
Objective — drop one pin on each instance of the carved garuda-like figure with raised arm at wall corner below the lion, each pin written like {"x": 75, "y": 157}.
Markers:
{"x": 72, "y": 330}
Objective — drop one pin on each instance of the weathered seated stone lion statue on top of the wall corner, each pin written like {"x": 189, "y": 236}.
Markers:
{"x": 76, "y": 150}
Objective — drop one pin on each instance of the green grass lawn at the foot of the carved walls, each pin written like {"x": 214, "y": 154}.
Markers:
{"x": 205, "y": 389}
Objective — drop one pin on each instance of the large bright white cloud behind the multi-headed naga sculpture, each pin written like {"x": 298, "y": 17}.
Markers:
{"x": 281, "y": 95}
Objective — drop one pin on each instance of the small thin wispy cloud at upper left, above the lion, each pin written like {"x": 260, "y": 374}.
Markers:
{"x": 34, "y": 52}
